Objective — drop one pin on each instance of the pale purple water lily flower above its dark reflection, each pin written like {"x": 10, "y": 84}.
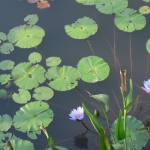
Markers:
{"x": 77, "y": 114}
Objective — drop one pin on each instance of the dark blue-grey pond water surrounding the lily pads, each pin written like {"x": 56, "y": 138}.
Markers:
{"x": 119, "y": 49}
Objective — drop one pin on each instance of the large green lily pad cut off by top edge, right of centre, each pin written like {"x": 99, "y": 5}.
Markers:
{"x": 111, "y": 6}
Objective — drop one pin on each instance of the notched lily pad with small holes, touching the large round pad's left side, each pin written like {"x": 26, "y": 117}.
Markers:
{"x": 63, "y": 78}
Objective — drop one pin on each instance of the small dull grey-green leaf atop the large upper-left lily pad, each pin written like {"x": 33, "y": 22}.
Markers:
{"x": 31, "y": 19}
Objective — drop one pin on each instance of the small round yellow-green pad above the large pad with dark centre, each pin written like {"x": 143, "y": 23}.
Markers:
{"x": 35, "y": 57}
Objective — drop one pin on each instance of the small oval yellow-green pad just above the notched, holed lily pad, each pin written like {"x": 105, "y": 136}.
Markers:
{"x": 53, "y": 61}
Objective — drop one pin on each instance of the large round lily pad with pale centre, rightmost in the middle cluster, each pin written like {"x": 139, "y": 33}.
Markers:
{"x": 93, "y": 69}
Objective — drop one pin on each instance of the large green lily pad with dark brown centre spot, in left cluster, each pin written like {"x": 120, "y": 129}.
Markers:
{"x": 28, "y": 76}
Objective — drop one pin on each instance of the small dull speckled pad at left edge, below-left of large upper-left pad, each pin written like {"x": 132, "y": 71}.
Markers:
{"x": 6, "y": 48}
